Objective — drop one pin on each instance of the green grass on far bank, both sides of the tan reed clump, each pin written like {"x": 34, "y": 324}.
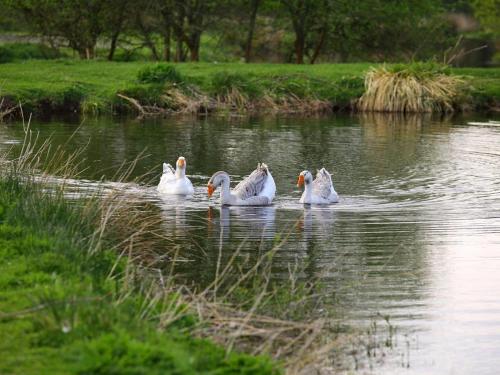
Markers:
{"x": 70, "y": 85}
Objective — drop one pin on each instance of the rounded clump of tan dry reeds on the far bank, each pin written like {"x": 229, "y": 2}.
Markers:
{"x": 412, "y": 88}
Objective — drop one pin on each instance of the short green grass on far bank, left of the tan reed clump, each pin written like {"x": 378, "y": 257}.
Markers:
{"x": 63, "y": 85}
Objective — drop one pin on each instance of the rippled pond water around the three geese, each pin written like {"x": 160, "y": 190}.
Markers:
{"x": 416, "y": 235}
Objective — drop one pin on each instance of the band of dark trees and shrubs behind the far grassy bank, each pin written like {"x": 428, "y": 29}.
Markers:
{"x": 300, "y": 31}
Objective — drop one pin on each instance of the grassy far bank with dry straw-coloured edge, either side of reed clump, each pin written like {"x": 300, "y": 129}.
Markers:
{"x": 73, "y": 86}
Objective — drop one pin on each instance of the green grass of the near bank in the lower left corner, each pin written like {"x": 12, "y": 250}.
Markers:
{"x": 61, "y": 313}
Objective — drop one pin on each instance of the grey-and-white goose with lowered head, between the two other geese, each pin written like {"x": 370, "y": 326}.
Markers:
{"x": 258, "y": 189}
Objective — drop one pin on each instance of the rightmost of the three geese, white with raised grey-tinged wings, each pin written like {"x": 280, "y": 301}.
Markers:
{"x": 319, "y": 191}
